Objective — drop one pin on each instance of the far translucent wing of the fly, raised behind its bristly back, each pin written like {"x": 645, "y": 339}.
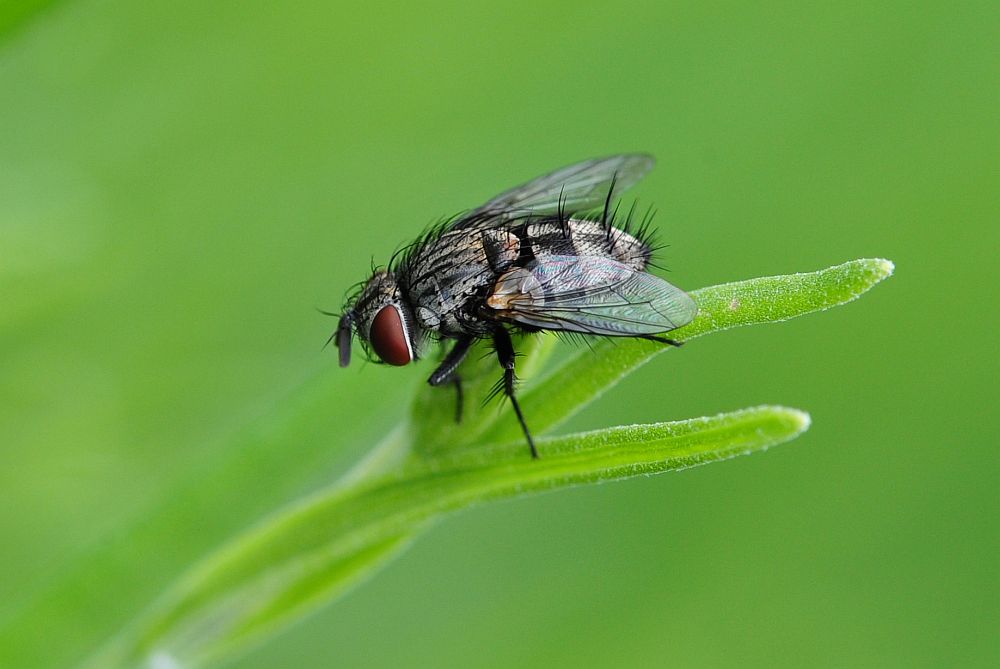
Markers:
{"x": 580, "y": 187}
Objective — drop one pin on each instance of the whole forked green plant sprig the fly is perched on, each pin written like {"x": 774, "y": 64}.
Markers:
{"x": 306, "y": 555}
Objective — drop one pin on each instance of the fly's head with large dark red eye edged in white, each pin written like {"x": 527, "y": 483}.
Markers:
{"x": 385, "y": 320}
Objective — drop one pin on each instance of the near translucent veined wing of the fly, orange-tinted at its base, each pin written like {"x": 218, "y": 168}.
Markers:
{"x": 592, "y": 295}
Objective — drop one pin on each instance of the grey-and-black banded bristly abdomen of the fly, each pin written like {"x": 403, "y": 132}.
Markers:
{"x": 579, "y": 237}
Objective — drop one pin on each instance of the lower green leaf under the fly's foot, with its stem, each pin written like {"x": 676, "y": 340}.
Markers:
{"x": 314, "y": 551}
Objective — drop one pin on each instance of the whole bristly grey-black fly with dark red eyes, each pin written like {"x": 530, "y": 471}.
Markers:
{"x": 552, "y": 254}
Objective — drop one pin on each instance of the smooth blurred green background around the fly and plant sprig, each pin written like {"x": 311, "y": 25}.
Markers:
{"x": 182, "y": 183}
